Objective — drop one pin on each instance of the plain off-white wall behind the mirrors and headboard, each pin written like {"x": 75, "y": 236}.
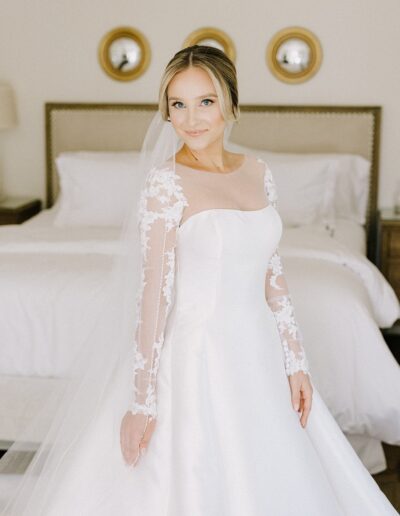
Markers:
{"x": 48, "y": 52}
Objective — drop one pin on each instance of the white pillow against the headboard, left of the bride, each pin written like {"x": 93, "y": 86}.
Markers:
{"x": 95, "y": 187}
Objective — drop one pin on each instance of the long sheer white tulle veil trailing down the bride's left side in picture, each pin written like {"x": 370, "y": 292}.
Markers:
{"x": 102, "y": 370}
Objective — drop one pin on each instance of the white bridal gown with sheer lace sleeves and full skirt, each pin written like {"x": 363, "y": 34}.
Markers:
{"x": 217, "y": 341}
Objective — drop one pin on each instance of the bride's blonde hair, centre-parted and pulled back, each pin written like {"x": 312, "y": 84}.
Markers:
{"x": 219, "y": 67}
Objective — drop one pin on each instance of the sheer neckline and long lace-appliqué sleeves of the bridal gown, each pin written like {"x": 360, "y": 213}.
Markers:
{"x": 168, "y": 200}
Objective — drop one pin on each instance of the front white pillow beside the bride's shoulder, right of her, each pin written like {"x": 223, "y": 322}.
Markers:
{"x": 305, "y": 188}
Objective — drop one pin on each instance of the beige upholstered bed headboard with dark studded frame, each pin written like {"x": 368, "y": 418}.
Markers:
{"x": 121, "y": 127}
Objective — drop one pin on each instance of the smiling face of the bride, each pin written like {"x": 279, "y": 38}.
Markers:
{"x": 195, "y": 110}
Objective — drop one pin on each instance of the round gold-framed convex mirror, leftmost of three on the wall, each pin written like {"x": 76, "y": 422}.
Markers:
{"x": 124, "y": 53}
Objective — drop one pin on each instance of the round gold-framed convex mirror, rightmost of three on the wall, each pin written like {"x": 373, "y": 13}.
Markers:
{"x": 294, "y": 55}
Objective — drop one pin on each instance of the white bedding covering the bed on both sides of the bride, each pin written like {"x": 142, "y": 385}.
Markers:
{"x": 49, "y": 274}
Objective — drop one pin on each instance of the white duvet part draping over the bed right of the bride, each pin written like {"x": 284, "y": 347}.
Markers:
{"x": 341, "y": 299}
